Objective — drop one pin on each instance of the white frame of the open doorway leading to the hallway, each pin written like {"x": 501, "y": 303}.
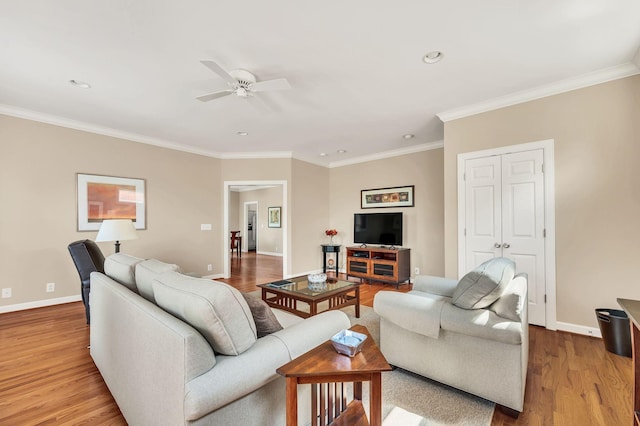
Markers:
{"x": 283, "y": 220}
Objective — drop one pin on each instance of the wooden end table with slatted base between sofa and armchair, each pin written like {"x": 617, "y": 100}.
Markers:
{"x": 327, "y": 371}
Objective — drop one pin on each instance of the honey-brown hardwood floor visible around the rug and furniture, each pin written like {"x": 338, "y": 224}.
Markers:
{"x": 47, "y": 376}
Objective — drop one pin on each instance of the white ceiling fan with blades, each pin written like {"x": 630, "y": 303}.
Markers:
{"x": 241, "y": 83}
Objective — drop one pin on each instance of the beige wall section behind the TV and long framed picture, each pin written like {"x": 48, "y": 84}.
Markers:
{"x": 423, "y": 224}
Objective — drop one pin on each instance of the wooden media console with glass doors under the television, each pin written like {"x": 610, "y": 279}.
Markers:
{"x": 379, "y": 264}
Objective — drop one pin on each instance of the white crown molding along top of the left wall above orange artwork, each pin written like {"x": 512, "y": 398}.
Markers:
{"x": 100, "y": 130}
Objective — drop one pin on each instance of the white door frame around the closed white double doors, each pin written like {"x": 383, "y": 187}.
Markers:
{"x": 550, "y": 219}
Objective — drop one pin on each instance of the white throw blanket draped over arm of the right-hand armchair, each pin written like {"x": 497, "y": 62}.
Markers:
{"x": 421, "y": 315}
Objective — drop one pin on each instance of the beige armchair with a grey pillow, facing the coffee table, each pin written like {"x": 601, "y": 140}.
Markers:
{"x": 472, "y": 335}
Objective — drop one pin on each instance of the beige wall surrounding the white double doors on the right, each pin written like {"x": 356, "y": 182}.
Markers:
{"x": 597, "y": 194}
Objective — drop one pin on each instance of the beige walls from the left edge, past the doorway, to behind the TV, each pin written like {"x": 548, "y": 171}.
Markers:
{"x": 38, "y": 166}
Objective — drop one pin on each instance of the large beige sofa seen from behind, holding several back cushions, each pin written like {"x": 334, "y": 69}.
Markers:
{"x": 167, "y": 368}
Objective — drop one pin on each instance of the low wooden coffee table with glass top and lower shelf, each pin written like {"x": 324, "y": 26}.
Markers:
{"x": 287, "y": 295}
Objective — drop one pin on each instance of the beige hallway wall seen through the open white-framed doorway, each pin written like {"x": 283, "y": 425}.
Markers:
{"x": 269, "y": 240}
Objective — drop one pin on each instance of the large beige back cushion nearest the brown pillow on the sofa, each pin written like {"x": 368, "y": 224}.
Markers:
{"x": 217, "y": 310}
